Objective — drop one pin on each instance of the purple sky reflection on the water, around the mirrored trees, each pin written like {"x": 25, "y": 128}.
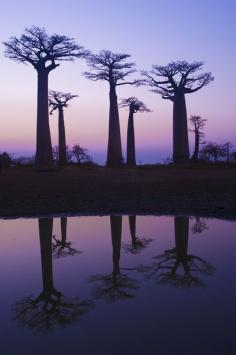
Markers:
{"x": 190, "y": 318}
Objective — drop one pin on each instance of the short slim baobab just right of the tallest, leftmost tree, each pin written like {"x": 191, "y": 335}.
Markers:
{"x": 58, "y": 101}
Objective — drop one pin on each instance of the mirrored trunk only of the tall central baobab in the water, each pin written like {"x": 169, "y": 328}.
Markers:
{"x": 116, "y": 229}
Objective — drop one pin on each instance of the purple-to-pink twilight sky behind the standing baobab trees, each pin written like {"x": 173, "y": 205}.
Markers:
{"x": 153, "y": 32}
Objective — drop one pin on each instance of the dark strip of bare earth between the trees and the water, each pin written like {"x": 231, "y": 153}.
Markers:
{"x": 203, "y": 191}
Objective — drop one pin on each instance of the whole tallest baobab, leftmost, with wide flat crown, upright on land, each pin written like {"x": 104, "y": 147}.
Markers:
{"x": 43, "y": 52}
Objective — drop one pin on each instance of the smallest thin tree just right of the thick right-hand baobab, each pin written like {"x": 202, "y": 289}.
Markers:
{"x": 198, "y": 124}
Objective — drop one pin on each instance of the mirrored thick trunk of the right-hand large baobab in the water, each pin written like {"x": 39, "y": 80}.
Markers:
{"x": 181, "y": 238}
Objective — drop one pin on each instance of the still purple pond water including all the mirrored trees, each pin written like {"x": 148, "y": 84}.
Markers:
{"x": 95, "y": 285}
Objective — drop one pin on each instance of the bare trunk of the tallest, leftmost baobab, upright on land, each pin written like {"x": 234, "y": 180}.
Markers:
{"x": 43, "y": 144}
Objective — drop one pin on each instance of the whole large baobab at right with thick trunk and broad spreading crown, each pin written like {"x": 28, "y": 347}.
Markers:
{"x": 173, "y": 81}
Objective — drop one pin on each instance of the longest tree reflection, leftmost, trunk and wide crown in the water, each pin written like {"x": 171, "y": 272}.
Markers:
{"x": 50, "y": 308}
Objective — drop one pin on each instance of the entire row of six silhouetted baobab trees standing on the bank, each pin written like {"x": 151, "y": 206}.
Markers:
{"x": 173, "y": 81}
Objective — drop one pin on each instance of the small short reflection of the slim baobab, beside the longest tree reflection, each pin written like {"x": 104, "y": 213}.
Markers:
{"x": 63, "y": 247}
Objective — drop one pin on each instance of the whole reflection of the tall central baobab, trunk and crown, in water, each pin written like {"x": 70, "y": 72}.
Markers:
{"x": 114, "y": 286}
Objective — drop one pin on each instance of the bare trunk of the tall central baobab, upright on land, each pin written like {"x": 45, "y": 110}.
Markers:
{"x": 114, "y": 150}
